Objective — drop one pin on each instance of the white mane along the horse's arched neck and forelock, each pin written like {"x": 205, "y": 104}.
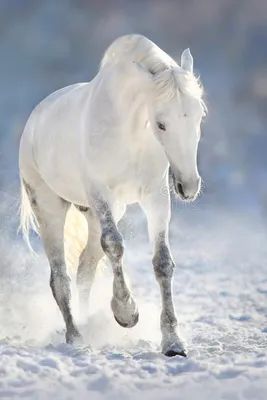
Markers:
{"x": 168, "y": 76}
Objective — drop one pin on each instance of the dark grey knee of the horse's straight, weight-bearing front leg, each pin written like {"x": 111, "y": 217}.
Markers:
{"x": 163, "y": 263}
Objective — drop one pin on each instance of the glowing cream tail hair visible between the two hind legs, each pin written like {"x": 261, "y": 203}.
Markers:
{"x": 75, "y": 236}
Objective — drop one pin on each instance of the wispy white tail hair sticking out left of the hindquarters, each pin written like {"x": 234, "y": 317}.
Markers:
{"x": 28, "y": 219}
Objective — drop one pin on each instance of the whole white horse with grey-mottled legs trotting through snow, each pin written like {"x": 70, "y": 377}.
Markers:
{"x": 102, "y": 145}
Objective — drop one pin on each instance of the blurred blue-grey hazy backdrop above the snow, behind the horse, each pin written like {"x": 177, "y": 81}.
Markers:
{"x": 45, "y": 45}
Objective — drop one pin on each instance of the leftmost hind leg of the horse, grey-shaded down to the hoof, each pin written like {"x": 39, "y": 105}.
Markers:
{"x": 50, "y": 211}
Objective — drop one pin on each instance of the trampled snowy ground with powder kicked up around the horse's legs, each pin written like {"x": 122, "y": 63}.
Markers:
{"x": 220, "y": 290}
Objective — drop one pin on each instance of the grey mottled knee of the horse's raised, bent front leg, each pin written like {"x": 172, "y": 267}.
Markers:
{"x": 112, "y": 244}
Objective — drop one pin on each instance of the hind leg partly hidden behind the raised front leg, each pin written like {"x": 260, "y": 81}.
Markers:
{"x": 88, "y": 260}
